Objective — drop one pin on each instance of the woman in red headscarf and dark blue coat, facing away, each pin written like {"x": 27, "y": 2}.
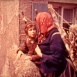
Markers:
{"x": 51, "y": 47}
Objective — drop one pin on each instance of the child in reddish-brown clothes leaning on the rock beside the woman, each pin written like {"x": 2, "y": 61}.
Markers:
{"x": 28, "y": 47}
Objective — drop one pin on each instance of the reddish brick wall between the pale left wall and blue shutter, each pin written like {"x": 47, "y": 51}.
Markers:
{"x": 25, "y": 6}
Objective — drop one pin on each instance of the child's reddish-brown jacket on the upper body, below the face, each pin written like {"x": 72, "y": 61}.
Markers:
{"x": 28, "y": 46}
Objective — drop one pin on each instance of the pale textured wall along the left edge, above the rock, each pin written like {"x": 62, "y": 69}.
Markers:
{"x": 9, "y": 28}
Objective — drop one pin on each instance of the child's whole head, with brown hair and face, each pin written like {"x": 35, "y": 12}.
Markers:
{"x": 30, "y": 29}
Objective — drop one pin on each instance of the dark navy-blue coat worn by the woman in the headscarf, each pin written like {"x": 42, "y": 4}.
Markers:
{"x": 53, "y": 49}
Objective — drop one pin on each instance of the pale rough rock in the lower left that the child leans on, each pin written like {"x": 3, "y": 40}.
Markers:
{"x": 20, "y": 68}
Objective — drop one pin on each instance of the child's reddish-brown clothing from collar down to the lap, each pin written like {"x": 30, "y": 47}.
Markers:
{"x": 28, "y": 47}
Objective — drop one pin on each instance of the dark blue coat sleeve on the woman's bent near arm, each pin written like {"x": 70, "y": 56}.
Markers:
{"x": 56, "y": 49}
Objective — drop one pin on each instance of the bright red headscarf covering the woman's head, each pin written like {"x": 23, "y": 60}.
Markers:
{"x": 44, "y": 21}
